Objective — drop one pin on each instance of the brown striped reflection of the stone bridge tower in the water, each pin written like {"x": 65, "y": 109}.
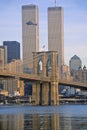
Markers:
{"x": 41, "y": 122}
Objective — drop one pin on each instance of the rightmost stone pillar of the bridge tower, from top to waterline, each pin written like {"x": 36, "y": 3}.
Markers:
{"x": 54, "y": 100}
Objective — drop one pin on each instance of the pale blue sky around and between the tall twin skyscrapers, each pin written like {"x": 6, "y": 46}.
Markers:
{"x": 75, "y": 24}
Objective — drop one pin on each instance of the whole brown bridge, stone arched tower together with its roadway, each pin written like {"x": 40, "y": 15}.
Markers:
{"x": 45, "y": 78}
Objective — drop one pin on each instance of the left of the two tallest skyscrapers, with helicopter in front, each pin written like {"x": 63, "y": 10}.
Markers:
{"x": 30, "y": 33}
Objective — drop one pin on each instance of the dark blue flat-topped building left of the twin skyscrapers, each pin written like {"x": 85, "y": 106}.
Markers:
{"x": 13, "y": 50}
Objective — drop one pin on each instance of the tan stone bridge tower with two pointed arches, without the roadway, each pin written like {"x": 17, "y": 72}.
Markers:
{"x": 45, "y": 64}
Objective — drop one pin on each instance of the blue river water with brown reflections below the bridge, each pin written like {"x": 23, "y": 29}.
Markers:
{"x": 63, "y": 117}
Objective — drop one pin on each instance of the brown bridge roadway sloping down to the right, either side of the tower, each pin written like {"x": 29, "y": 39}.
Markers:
{"x": 33, "y": 77}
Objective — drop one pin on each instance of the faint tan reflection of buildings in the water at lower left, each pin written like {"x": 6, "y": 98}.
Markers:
{"x": 11, "y": 122}
